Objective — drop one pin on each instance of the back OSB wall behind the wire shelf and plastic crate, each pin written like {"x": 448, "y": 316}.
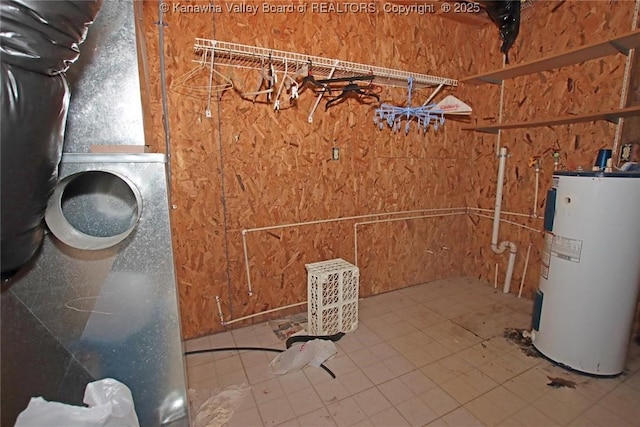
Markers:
{"x": 249, "y": 166}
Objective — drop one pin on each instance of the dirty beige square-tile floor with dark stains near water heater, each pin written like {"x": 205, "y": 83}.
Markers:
{"x": 413, "y": 361}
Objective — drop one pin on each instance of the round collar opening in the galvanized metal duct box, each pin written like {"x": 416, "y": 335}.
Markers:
{"x": 93, "y": 210}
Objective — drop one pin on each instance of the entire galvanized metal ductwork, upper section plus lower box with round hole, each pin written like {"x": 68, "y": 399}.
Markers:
{"x": 100, "y": 298}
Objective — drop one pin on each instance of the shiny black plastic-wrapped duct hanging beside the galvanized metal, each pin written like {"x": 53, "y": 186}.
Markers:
{"x": 38, "y": 42}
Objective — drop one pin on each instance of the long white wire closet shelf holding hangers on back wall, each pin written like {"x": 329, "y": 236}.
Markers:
{"x": 210, "y": 52}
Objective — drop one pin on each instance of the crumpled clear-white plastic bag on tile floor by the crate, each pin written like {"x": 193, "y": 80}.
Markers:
{"x": 312, "y": 353}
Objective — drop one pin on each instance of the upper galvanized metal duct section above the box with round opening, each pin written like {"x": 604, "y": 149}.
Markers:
{"x": 106, "y": 105}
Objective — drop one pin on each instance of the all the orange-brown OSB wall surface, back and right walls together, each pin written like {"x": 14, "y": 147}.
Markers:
{"x": 250, "y": 167}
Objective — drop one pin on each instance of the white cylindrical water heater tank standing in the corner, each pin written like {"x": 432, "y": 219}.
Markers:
{"x": 586, "y": 299}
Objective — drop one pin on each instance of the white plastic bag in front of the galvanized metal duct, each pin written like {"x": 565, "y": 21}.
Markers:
{"x": 110, "y": 404}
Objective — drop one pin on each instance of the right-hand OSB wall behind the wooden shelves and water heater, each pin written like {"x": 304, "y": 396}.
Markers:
{"x": 550, "y": 28}
